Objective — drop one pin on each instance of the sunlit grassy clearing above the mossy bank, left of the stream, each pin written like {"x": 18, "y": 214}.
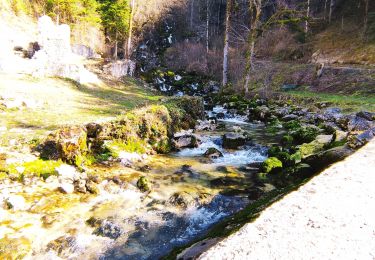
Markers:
{"x": 59, "y": 102}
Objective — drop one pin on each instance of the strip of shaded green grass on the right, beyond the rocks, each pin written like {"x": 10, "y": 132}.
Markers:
{"x": 352, "y": 103}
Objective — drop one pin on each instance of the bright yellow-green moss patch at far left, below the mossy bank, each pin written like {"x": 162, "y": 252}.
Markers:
{"x": 40, "y": 168}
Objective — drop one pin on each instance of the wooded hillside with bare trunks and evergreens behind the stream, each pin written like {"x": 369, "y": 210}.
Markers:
{"x": 218, "y": 38}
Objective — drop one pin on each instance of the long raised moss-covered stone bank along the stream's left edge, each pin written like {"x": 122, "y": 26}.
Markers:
{"x": 144, "y": 130}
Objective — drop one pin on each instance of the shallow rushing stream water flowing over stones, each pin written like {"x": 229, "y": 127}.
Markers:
{"x": 187, "y": 198}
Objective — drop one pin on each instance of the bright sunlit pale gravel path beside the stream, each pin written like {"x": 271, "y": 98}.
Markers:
{"x": 331, "y": 217}
